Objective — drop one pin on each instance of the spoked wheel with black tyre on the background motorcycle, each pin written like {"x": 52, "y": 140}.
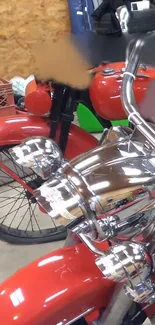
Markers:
{"x": 21, "y": 219}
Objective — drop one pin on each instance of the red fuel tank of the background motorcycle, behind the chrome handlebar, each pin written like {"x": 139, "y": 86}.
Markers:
{"x": 106, "y": 85}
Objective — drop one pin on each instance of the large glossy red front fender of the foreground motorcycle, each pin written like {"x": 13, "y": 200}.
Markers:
{"x": 58, "y": 287}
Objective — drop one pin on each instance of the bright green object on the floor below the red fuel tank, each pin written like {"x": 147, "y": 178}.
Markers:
{"x": 89, "y": 122}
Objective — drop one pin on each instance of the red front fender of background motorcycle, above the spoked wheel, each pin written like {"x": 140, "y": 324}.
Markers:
{"x": 16, "y": 128}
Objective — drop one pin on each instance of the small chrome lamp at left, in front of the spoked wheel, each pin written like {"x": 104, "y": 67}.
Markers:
{"x": 39, "y": 153}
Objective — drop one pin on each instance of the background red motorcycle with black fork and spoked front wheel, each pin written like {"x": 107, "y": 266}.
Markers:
{"x": 34, "y": 226}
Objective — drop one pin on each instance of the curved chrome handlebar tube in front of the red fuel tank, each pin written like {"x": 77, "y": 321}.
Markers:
{"x": 127, "y": 95}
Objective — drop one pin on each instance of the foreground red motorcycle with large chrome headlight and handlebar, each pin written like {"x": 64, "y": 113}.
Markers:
{"x": 110, "y": 248}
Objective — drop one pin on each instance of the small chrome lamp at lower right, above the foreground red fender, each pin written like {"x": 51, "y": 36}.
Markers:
{"x": 129, "y": 263}
